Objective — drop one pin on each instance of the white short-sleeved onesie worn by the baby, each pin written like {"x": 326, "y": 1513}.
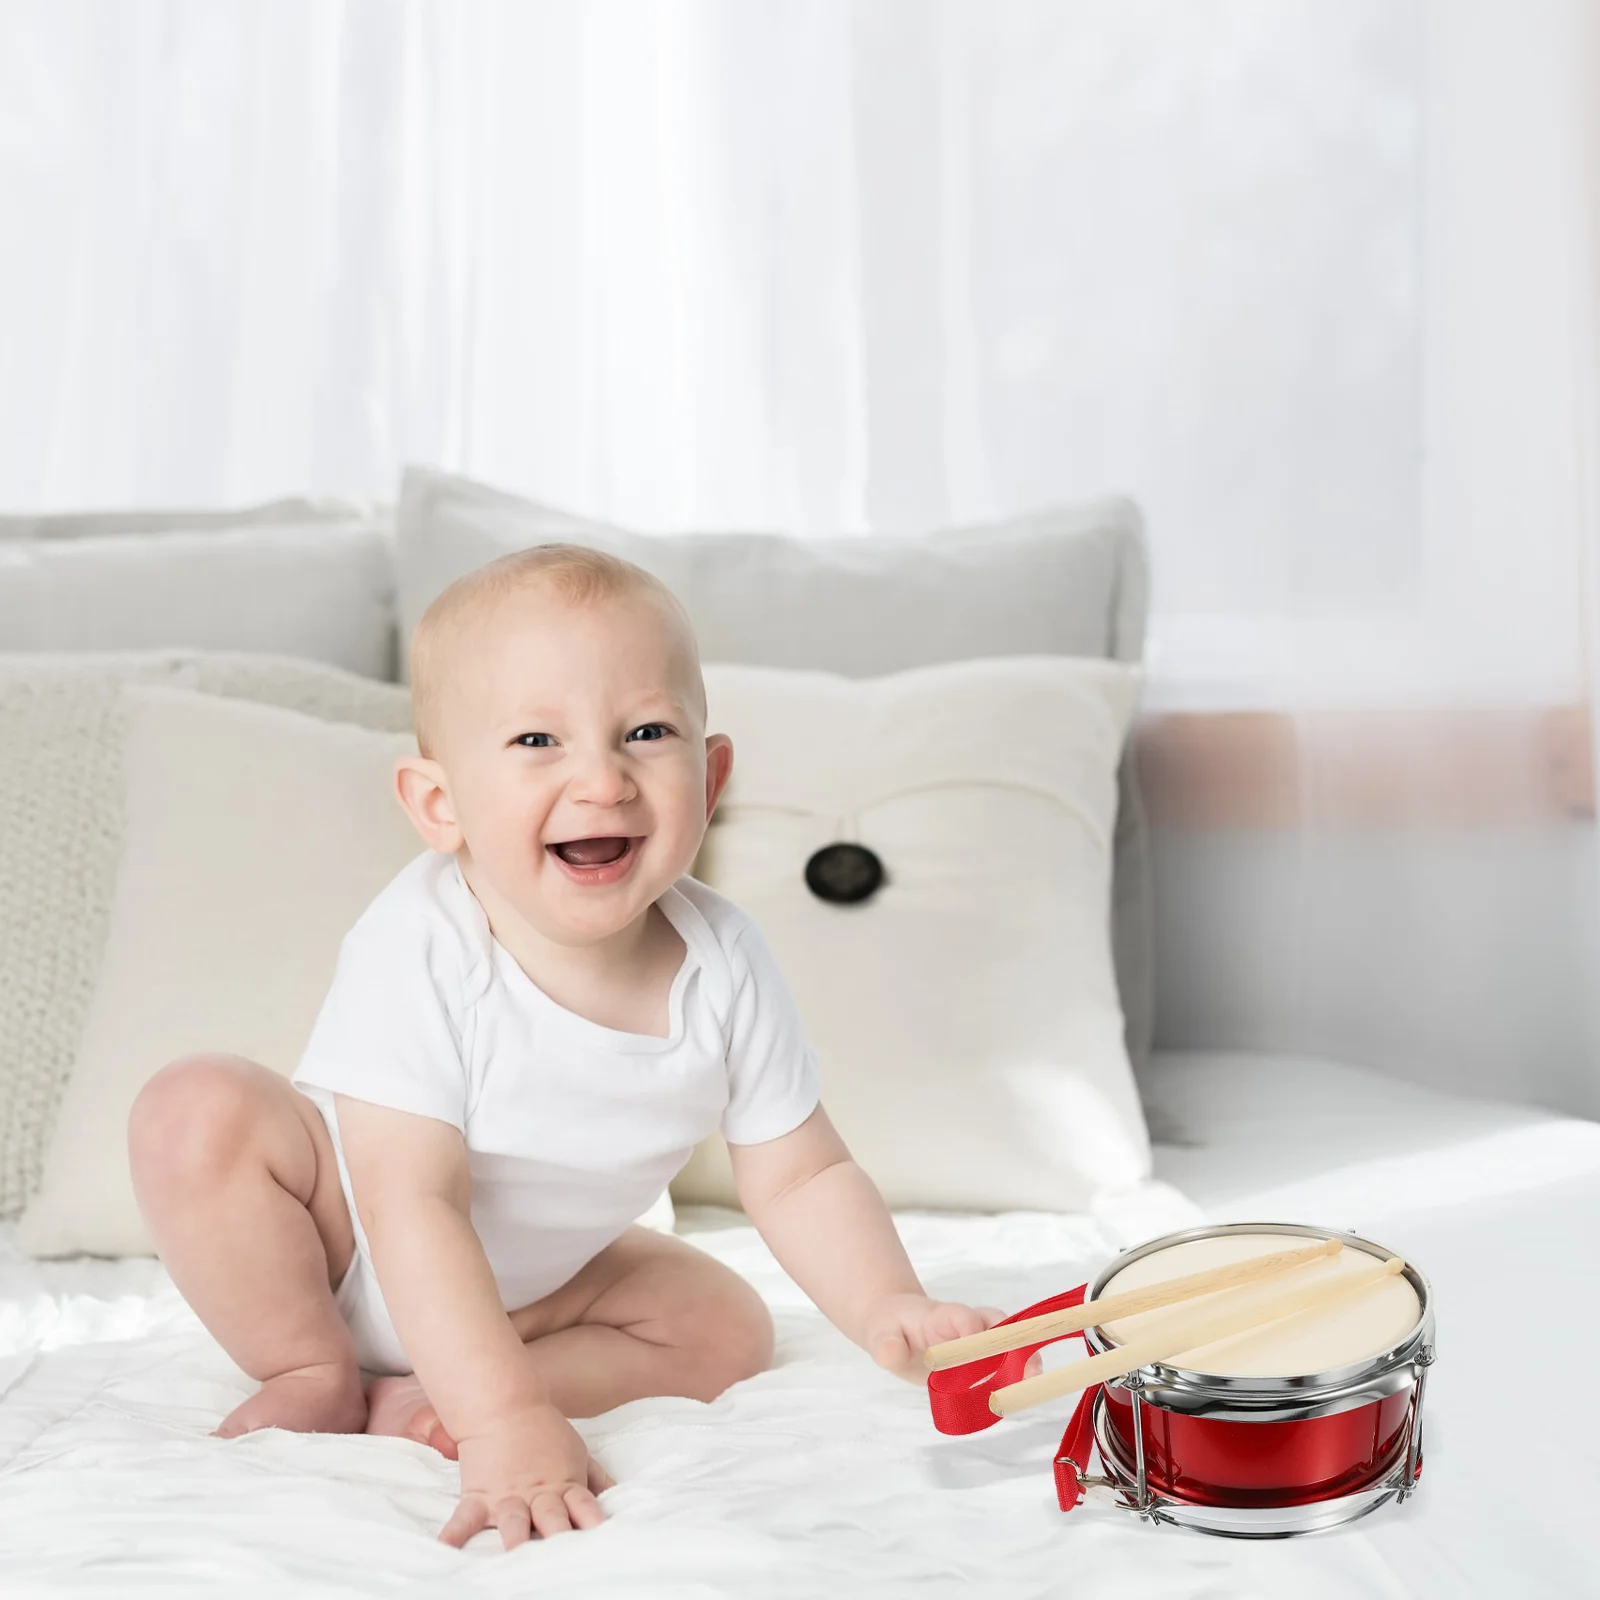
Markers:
{"x": 574, "y": 1130}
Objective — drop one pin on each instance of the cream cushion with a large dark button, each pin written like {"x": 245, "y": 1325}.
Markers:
{"x": 966, "y": 1014}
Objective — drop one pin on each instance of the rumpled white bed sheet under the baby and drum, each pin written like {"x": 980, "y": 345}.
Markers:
{"x": 825, "y": 1476}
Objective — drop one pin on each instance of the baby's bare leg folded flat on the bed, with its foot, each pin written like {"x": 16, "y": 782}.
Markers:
{"x": 650, "y": 1316}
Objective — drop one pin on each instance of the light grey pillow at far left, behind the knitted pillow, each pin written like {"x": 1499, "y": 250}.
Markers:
{"x": 297, "y": 578}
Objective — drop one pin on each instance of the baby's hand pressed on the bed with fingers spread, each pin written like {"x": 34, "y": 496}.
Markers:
{"x": 529, "y": 1474}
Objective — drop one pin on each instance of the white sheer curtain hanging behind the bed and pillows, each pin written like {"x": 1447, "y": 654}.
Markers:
{"x": 1313, "y": 279}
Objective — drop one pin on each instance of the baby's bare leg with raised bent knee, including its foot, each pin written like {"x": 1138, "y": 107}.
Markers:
{"x": 239, "y": 1186}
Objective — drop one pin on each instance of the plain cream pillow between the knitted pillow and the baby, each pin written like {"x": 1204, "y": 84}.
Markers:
{"x": 255, "y": 838}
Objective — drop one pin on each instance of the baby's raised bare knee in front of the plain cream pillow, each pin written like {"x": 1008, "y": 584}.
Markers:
{"x": 191, "y": 1121}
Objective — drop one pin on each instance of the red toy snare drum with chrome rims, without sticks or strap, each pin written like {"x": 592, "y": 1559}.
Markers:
{"x": 1297, "y": 1426}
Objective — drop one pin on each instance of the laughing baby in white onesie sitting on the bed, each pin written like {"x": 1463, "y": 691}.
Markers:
{"x": 527, "y": 1034}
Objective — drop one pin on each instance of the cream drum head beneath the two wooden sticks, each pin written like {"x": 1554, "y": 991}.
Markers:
{"x": 1359, "y": 1329}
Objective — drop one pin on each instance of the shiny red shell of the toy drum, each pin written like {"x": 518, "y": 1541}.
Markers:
{"x": 1215, "y": 1462}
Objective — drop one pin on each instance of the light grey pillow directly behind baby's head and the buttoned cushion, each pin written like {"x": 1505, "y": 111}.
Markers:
{"x": 1065, "y": 582}
